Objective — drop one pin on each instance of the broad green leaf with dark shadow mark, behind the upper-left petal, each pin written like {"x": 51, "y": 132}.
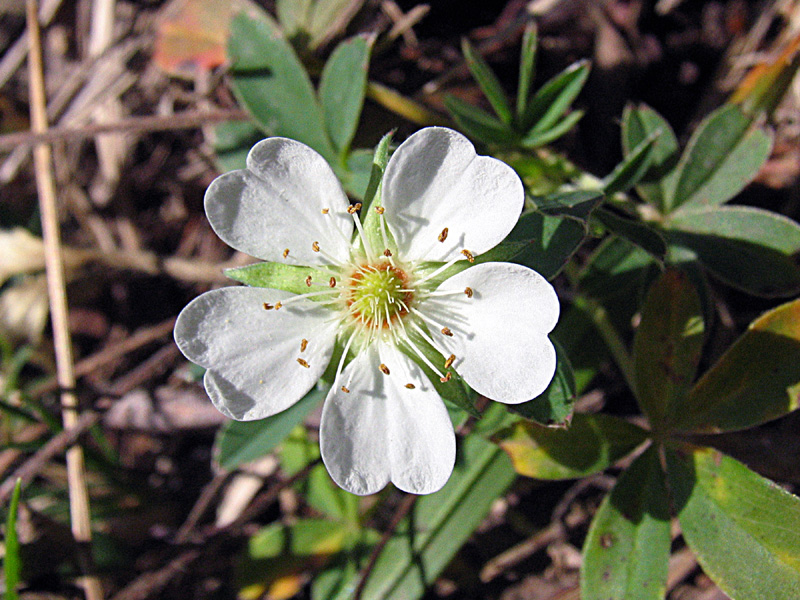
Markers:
{"x": 271, "y": 83}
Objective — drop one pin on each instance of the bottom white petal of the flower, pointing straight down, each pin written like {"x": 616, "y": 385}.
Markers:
{"x": 382, "y": 431}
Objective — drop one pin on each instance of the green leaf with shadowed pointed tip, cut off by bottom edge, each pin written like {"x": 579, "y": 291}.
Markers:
{"x": 626, "y": 553}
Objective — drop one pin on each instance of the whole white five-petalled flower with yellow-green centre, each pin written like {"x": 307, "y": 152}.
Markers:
{"x": 383, "y": 419}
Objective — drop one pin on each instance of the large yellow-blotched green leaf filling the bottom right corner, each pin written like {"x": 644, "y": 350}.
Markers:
{"x": 742, "y": 527}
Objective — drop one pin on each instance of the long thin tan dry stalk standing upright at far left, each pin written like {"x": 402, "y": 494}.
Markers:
{"x": 54, "y": 265}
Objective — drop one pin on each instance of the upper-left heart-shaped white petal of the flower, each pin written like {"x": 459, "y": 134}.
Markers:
{"x": 277, "y": 203}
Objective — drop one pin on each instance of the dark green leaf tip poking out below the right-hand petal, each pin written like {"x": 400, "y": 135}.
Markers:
{"x": 553, "y": 406}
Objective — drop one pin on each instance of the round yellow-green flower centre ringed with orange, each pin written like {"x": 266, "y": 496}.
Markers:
{"x": 378, "y": 295}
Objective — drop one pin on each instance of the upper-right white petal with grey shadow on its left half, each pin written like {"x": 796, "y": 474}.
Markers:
{"x": 435, "y": 180}
